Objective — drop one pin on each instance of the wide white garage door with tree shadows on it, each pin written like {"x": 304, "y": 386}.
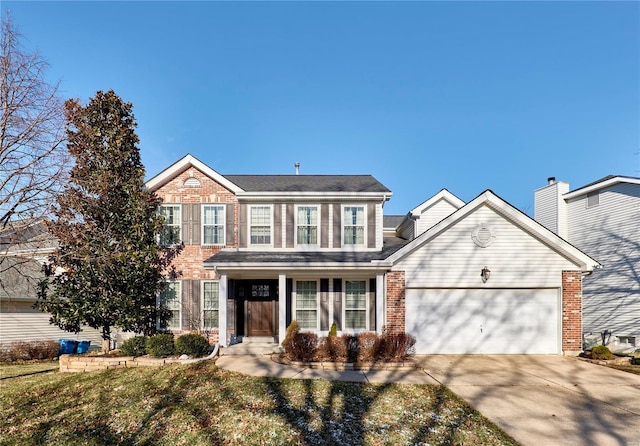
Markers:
{"x": 484, "y": 321}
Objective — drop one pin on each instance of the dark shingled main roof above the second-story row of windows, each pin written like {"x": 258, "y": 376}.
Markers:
{"x": 308, "y": 183}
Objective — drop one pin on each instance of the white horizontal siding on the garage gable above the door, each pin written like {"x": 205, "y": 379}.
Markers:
{"x": 515, "y": 258}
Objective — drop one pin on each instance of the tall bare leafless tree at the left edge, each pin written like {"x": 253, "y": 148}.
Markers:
{"x": 33, "y": 156}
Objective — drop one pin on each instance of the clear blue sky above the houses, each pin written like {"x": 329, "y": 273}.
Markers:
{"x": 466, "y": 96}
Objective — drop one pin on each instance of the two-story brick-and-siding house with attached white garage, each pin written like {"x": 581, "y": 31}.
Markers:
{"x": 263, "y": 250}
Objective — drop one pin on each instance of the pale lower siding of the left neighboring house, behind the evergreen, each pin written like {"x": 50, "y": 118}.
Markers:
{"x": 19, "y": 321}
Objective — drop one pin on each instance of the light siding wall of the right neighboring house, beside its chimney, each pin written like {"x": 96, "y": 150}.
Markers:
{"x": 610, "y": 233}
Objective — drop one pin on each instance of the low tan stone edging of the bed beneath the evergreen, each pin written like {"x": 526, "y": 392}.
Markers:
{"x": 84, "y": 363}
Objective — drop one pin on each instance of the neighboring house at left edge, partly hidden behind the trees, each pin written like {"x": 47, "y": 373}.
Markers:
{"x": 24, "y": 248}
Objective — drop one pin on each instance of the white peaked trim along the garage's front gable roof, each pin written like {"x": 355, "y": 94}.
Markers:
{"x": 517, "y": 217}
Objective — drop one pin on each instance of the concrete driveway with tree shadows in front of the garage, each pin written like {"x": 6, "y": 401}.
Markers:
{"x": 546, "y": 400}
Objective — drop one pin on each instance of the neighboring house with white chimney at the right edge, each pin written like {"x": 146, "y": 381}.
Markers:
{"x": 603, "y": 220}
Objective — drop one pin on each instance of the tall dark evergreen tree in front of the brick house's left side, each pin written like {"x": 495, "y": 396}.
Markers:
{"x": 108, "y": 268}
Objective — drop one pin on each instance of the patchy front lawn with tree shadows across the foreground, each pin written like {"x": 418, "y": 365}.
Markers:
{"x": 201, "y": 404}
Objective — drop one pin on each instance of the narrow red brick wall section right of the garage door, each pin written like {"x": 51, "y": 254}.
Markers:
{"x": 571, "y": 311}
